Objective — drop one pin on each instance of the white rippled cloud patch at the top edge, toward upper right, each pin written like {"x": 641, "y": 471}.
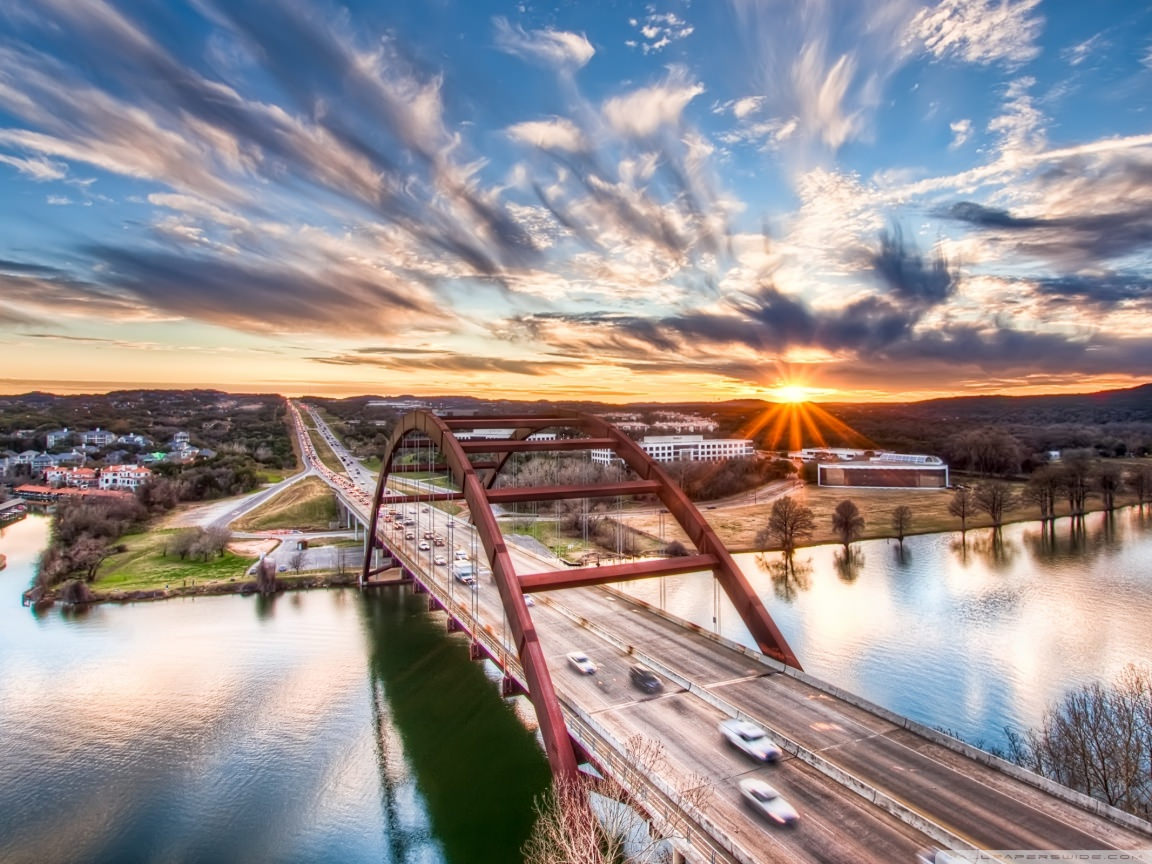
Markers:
{"x": 980, "y": 32}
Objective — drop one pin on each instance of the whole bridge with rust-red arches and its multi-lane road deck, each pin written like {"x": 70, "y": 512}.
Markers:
{"x": 869, "y": 785}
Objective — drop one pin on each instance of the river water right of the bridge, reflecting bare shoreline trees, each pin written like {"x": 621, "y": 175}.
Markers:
{"x": 968, "y": 638}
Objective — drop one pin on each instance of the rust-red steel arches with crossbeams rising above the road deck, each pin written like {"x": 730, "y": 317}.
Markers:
{"x": 476, "y": 480}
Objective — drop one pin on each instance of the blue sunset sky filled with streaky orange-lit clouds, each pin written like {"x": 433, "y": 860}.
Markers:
{"x": 674, "y": 201}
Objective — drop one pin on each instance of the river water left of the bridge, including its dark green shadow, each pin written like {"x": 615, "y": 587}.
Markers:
{"x": 319, "y": 726}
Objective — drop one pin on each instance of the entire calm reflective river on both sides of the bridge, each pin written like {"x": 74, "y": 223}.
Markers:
{"x": 329, "y": 726}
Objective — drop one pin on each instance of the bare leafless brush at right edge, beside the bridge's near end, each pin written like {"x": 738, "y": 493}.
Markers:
{"x": 1098, "y": 740}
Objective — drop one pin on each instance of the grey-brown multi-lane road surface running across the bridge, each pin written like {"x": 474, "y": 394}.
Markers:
{"x": 973, "y": 805}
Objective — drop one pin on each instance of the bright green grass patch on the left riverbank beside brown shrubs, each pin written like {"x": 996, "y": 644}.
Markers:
{"x": 143, "y": 566}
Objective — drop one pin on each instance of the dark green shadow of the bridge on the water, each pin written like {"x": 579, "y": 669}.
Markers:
{"x": 475, "y": 764}
